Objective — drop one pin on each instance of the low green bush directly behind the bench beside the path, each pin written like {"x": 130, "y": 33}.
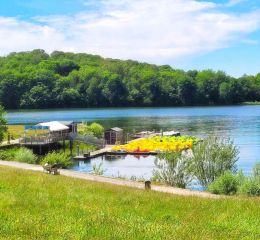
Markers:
{"x": 61, "y": 159}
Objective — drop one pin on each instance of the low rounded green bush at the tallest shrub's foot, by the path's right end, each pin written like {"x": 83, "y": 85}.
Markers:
{"x": 227, "y": 184}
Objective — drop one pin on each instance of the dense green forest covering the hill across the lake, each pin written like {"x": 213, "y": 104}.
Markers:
{"x": 38, "y": 80}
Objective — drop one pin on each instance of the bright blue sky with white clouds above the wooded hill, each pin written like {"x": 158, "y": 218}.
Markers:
{"x": 187, "y": 34}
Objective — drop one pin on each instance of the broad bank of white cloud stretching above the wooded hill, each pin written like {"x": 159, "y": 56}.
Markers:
{"x": 154, "y": 31}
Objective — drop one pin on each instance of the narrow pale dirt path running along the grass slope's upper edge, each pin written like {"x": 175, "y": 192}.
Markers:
{"x": 120, "y": 182}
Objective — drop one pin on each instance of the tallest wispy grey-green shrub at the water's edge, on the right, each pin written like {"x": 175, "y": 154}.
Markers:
{"x": 212, "y": 157}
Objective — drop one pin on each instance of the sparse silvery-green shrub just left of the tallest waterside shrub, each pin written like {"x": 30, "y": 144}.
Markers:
{"x": 173, "y": 168}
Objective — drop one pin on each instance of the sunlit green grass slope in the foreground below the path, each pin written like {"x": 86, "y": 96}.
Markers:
{"x": 41, "y": 206}
